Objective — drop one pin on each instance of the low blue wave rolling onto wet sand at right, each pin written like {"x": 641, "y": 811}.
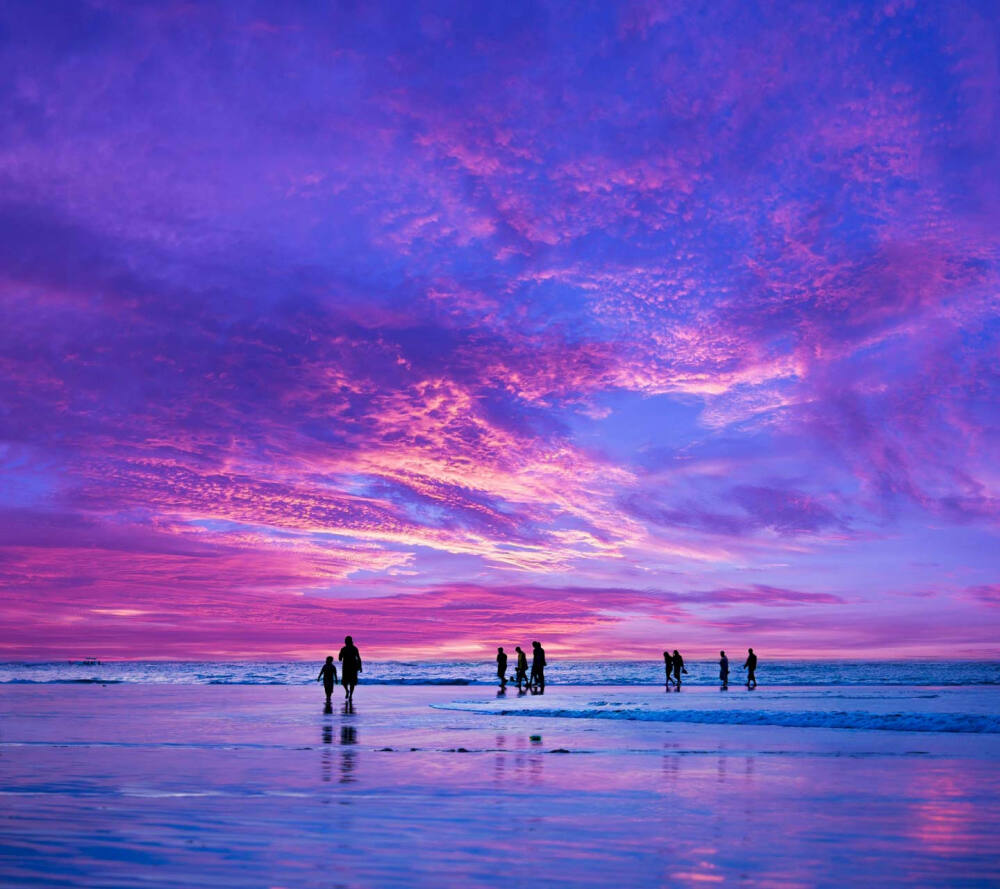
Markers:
{"x": 965, "y": 723}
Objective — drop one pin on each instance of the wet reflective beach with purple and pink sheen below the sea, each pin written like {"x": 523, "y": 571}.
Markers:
{"x": 184, "y": 785}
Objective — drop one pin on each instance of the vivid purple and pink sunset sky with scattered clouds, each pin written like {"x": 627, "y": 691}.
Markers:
{"x": 621, "y": 326}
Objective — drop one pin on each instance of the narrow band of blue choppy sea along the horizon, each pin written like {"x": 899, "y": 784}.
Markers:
{"x": 586, "y": 673}
